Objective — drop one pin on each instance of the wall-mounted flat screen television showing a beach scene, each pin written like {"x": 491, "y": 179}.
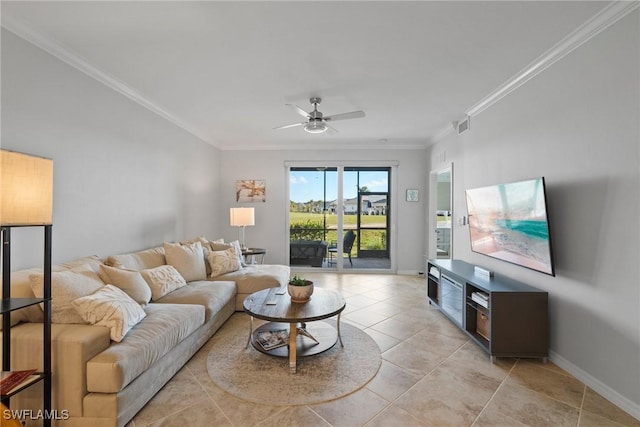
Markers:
{"x": 509, "y": 222}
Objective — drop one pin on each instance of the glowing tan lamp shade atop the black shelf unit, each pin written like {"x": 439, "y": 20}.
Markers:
{"x": 26, "y": 184}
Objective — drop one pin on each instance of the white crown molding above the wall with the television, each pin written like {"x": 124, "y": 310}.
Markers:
{"x": 608, "y": 16}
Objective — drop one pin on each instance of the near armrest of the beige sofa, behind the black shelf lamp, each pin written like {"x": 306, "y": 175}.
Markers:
{"x": 72, "y": 346}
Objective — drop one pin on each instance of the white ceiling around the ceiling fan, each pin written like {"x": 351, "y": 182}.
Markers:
{"x": 224, "y": 70}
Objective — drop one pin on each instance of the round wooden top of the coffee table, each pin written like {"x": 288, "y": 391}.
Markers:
{"x": 324, "y": 303}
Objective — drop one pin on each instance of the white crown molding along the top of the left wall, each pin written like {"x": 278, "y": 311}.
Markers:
{"x": 72, "y": 58}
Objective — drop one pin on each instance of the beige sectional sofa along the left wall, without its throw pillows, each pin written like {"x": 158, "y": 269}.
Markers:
{"x": 101, "y": 382}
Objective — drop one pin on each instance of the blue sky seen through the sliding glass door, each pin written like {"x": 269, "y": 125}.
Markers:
{"x": 308, "y": 185}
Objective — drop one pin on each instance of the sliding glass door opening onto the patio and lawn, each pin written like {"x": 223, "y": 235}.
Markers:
{"x": 339, "y": 217}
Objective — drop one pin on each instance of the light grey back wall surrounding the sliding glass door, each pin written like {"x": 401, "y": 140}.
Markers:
{"x": 270, "y": 230}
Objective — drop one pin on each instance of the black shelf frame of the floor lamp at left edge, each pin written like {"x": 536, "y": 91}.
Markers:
{"x": 8, "y": 304}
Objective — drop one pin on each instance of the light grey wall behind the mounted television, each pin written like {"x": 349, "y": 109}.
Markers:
{"x": 576, "y": 124}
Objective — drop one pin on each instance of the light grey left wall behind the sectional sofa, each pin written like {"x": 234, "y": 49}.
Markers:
{"x": 124, "y": 178}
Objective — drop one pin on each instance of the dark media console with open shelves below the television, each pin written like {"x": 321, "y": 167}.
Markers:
{"x": 514, "y": 322}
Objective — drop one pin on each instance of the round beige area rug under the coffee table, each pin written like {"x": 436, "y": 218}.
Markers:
{"x": 261, "y": 378}
